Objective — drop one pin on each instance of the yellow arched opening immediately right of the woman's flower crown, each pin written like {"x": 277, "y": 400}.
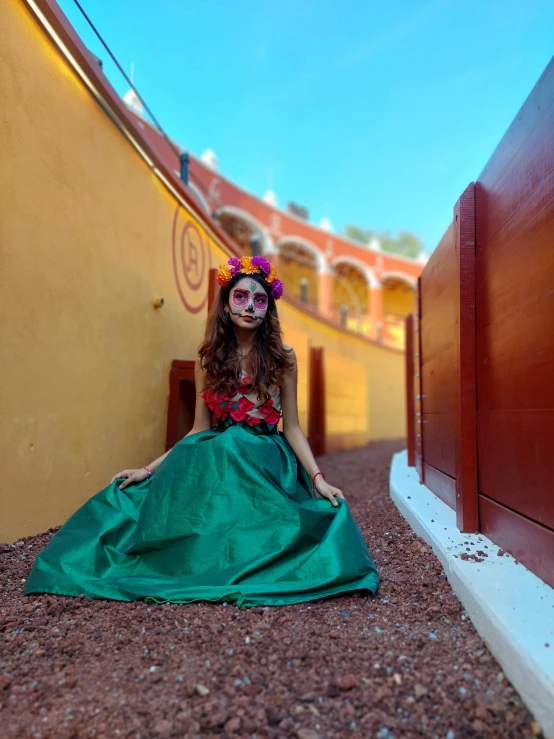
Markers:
{"x": 298, "y": 268}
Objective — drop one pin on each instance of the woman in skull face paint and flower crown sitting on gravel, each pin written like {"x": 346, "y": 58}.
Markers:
{"x": 230, "y": 513}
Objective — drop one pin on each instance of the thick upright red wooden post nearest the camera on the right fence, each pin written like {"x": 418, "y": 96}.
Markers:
{"x": 467, "y": 516}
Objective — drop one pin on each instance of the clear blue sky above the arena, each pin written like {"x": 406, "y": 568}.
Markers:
{"x": 365, "y": 112}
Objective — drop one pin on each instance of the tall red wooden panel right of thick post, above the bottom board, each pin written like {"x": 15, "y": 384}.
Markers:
{"x": 515, "y": 313}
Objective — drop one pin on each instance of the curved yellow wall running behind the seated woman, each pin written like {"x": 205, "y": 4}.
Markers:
{"x": 86, "y": 239}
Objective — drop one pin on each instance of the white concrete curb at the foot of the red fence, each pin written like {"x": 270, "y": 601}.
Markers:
{"x": 512, "y": 609}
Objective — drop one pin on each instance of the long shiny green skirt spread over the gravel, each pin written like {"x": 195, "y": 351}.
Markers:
{"x": 228, "y": 516}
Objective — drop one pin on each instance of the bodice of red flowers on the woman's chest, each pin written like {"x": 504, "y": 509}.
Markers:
{"x": 244, "y": 407}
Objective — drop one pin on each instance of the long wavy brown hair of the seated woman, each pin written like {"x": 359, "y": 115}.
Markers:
{"x": 267, "y": 362}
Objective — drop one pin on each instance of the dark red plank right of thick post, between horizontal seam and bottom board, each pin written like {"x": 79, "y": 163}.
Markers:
{"x": 516, "y": 461}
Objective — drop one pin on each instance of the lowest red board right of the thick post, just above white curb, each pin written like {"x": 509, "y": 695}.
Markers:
{"x": 527, "y": 541}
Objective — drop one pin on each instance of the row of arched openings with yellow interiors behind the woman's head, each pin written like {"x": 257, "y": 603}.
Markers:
{"x": 342, "y": 293}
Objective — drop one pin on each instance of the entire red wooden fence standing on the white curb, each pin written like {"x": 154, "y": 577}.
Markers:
{"x": 483, "y": 347}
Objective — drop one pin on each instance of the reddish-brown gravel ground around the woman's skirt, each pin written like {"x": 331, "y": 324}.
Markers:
{"x": 406, "y": 663}
